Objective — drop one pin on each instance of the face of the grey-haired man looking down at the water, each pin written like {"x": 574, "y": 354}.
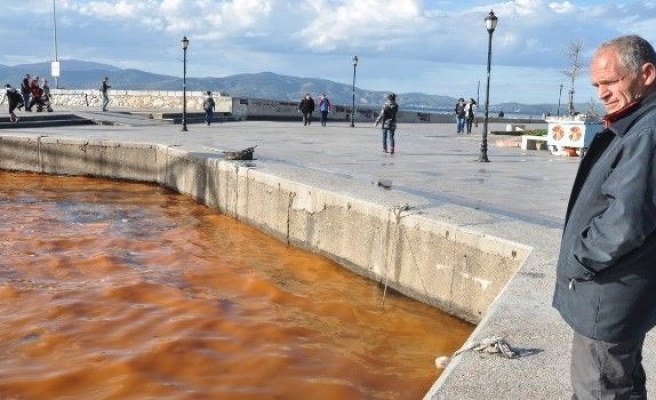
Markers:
{"x": 616, "y": 88}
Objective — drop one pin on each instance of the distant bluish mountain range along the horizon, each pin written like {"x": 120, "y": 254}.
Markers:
{"x": 78, "y": 74}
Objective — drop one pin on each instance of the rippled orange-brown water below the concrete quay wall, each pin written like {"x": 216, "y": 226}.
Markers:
{"x": 114, "y": 290}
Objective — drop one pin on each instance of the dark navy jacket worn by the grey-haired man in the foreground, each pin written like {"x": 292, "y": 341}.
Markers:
{"x": 606, "y": 273}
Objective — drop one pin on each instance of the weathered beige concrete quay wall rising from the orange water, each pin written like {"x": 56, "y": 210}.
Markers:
{"x": 459, "y": 270}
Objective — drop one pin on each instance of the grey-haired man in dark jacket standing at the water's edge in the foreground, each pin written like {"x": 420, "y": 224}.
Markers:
{"x": 606, "y": 273}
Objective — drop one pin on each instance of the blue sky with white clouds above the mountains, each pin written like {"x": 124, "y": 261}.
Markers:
{"x": 431, "y": 46}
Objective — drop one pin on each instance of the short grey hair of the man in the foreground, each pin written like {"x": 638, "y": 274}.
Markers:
{"x": 633, "y": 52}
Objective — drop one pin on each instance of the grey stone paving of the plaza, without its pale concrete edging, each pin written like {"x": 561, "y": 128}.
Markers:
{"x": 431, "y": 161}
